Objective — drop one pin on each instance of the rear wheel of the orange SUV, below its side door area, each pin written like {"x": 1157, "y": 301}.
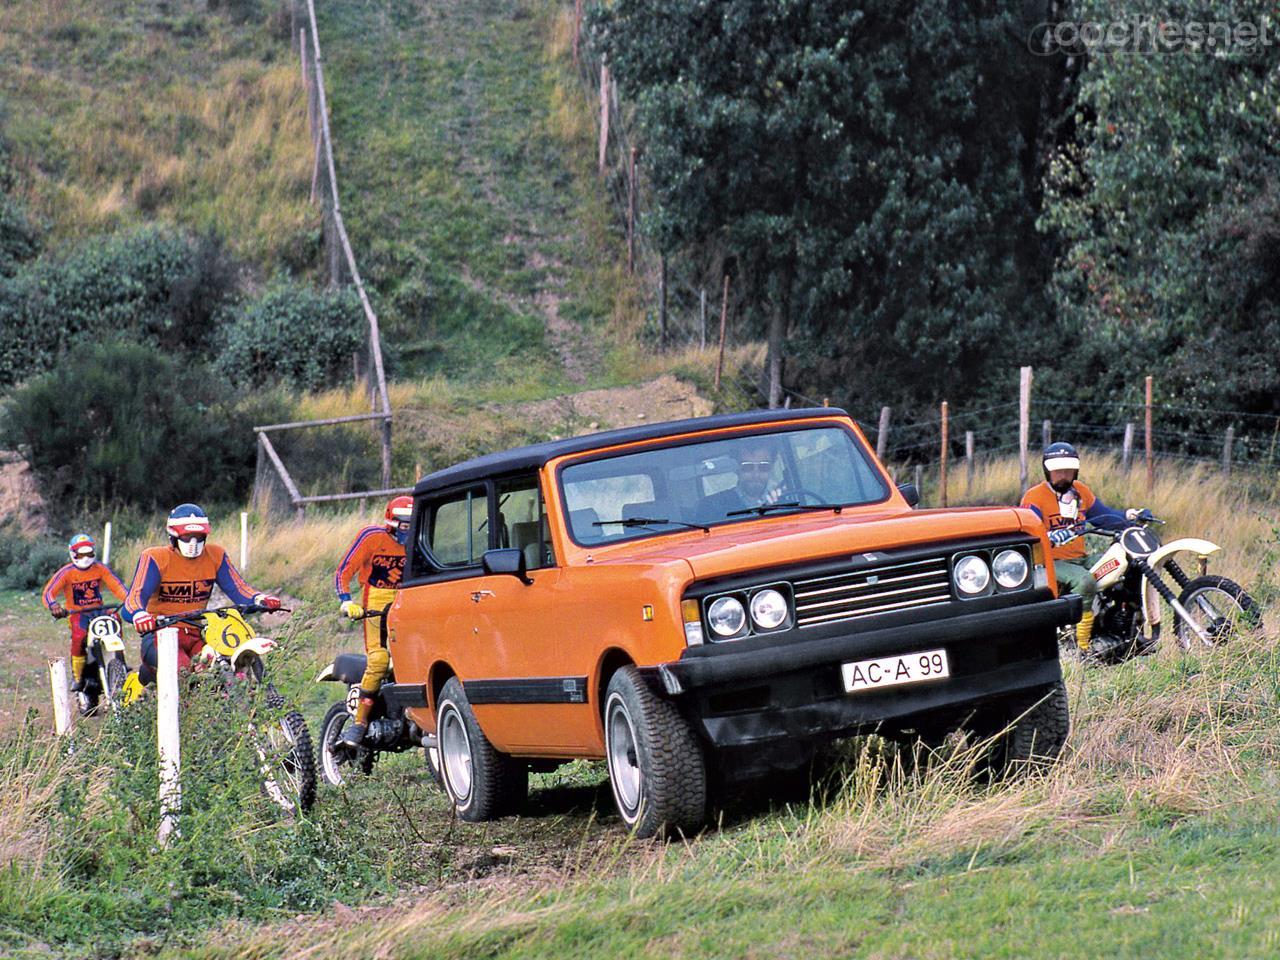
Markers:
{"x": 483, "y": 783}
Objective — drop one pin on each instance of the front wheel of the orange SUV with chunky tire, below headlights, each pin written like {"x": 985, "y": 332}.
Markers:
{"x": 657, "y": 769}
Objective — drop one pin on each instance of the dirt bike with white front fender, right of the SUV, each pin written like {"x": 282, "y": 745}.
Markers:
{"x": 1132, "y": 577}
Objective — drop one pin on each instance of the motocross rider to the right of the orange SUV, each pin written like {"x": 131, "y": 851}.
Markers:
{"x": 1066, "y": 505}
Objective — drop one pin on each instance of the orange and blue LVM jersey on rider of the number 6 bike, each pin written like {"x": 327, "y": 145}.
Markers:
{"x": 167, "y": 583}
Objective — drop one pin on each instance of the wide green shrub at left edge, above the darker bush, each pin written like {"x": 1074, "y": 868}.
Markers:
{"x": 150, "y": 285}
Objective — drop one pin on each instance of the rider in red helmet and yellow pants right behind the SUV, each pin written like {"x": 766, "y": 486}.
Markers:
{"x": 377, "y": 561}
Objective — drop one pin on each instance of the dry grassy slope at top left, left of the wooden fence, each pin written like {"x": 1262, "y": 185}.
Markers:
{"x": 149, "y": 111}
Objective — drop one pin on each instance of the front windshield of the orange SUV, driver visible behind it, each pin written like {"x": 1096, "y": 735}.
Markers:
{"x": 717, "y": 482}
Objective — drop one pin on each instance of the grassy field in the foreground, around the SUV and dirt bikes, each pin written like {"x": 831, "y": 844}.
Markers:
{"x": 1153, "y": 838}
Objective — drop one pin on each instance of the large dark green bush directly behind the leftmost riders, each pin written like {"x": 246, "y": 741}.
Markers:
{"x": 127, "y": 423}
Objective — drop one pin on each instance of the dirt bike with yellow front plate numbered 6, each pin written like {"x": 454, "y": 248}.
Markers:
{"x": 284, "y": 744}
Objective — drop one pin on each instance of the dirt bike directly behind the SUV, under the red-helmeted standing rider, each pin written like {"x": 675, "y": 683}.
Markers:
{"x": 390, "y": 729}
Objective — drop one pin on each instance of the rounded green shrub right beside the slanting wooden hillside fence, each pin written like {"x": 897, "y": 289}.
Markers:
{"x": 292, "y": 335}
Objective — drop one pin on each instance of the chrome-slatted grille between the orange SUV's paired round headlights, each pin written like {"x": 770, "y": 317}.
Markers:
{"x": 863, "y": 593}
